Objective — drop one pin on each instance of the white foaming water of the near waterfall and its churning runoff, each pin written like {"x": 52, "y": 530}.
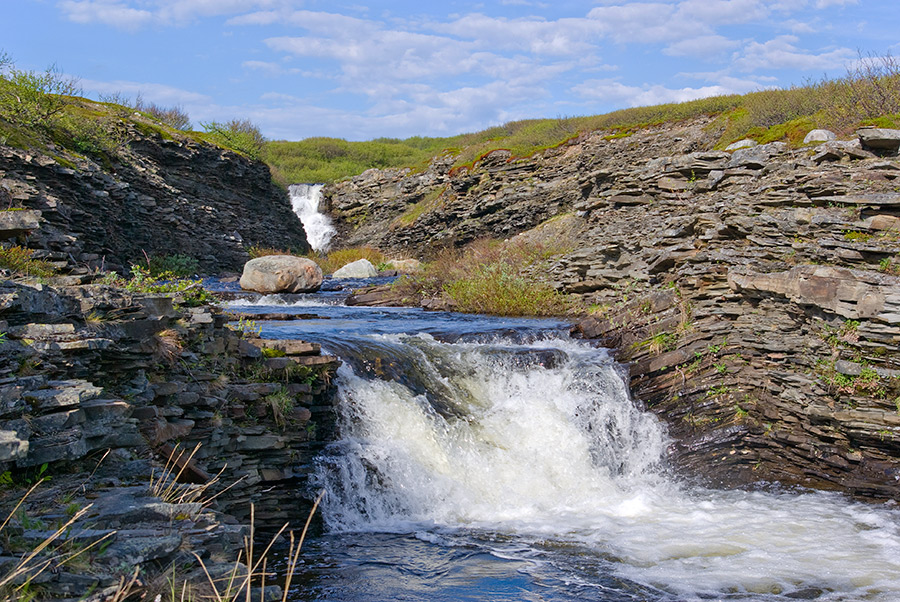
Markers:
{"x": 548, "y": 447}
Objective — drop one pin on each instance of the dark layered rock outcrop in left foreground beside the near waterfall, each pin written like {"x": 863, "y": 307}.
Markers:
{"x": 102, "y": 389}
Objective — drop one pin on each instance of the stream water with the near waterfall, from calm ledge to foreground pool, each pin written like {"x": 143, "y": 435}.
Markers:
{"x": 494, "y": 459}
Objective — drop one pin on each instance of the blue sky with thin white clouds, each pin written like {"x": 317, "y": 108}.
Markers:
{"x": 361, "y": 70}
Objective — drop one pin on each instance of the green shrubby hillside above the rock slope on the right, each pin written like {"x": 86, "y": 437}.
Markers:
{"x": 868, "y": 94}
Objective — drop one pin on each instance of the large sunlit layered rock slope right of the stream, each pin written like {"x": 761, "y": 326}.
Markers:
{"x": 753, "y": 293}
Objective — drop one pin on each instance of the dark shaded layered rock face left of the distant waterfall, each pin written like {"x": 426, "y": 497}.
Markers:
{"x": 162, "y": 196}
